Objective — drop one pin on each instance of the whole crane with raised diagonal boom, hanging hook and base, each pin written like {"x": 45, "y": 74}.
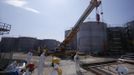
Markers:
{"x": 93, "y": 4}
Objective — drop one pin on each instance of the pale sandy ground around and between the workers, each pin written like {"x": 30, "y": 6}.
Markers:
{"x": 68, "y": 66}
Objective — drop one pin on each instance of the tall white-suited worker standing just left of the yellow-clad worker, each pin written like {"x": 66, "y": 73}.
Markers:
{"x": 41, "y": 64}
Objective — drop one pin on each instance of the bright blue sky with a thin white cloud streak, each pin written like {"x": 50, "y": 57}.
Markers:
{"x": 48, "y": 19}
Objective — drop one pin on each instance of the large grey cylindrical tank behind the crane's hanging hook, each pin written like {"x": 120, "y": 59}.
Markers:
{"x": 91, "y": 37}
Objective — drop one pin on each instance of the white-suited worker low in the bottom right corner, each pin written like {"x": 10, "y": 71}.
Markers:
{"x": 121, "y": 69}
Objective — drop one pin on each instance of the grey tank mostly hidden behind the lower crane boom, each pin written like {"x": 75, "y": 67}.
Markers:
{"x": 73, "y": 44}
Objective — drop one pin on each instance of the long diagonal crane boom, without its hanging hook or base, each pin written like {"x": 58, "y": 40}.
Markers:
{"x": 74, "y": 30}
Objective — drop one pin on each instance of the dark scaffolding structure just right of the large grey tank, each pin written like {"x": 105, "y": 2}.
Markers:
{"x": 116, "y": 40}
